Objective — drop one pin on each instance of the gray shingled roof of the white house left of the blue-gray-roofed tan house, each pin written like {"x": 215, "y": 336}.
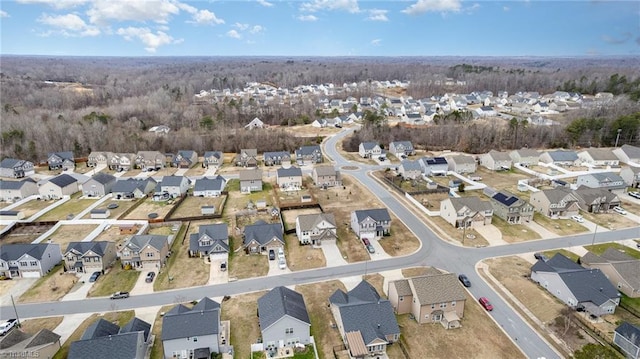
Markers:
{"x": 280, "y": 302}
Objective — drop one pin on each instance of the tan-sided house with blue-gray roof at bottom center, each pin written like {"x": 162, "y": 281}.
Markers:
{"x": 366, "y": 321}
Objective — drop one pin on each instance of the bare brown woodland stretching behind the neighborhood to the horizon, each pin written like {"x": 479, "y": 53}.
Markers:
{"x": 109, "y": 103}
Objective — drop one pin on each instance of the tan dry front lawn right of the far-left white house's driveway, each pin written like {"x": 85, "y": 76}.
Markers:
{"x": 51, "y": 287}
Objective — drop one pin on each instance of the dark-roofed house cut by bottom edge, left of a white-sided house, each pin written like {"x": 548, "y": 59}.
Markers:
{"x": 103, "y": 340}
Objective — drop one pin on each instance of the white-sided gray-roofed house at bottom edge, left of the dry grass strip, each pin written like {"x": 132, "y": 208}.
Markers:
{"x": 193, "y": 333}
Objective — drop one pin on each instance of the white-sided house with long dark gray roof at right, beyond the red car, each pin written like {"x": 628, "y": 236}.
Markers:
{"x": 577, "y": 287}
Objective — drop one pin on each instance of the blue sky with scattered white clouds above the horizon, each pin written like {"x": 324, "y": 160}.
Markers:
{"x": 320, "y": 28}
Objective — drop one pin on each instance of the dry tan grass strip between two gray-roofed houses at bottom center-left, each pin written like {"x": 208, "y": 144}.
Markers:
{"x": 241, "y": 311}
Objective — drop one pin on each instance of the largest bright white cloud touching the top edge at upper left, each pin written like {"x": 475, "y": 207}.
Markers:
{"x": 159, "y": 11}
